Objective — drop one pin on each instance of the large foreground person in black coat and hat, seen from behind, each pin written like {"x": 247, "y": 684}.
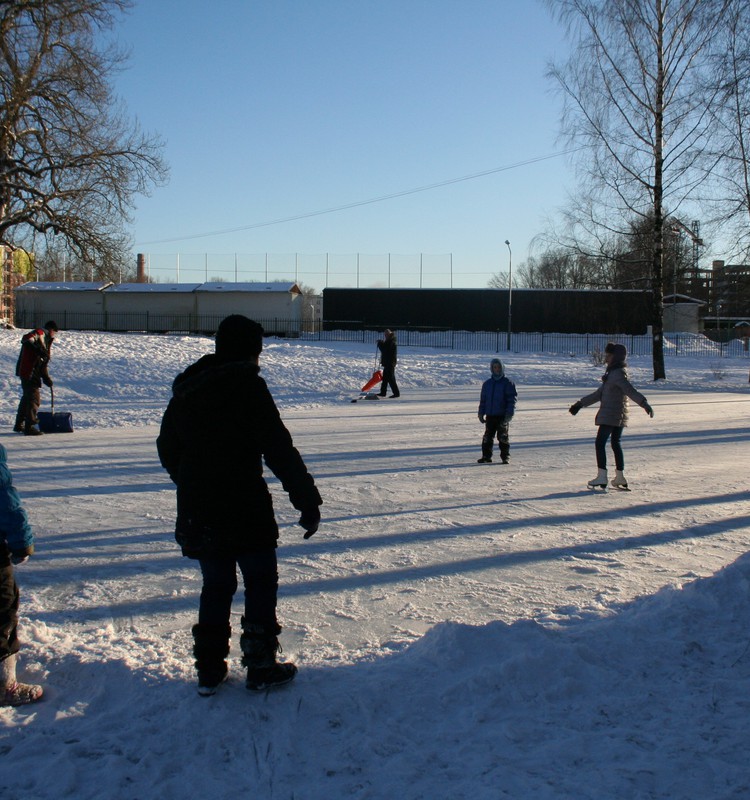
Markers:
{"x": 219, "y": 427}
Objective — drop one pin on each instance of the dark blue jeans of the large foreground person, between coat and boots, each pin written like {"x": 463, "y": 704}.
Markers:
{"x": 261, "y": 579}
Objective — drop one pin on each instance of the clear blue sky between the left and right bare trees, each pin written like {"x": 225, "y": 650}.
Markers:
{"x": 273, "y": 109}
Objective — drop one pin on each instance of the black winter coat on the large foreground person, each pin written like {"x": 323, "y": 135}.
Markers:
{"x": 219, "y": 427}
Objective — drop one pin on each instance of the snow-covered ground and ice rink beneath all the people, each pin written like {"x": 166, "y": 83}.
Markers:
{"x": 462, "y": 631}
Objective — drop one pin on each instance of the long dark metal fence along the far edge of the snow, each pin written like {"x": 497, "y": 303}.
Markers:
{"x": 680, "y": 344}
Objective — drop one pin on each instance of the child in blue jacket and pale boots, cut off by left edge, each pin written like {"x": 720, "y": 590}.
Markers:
{"x": 16, "y": 545}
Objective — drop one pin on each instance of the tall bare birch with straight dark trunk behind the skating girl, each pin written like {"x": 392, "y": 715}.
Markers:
{"x": 634, "y": 104}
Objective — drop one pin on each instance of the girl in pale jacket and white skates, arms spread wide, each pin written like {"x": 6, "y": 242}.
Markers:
{"x": 612, "y": 416}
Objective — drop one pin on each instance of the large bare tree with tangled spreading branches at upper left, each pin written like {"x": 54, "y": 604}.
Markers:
{"x": 71, "y": 162}
